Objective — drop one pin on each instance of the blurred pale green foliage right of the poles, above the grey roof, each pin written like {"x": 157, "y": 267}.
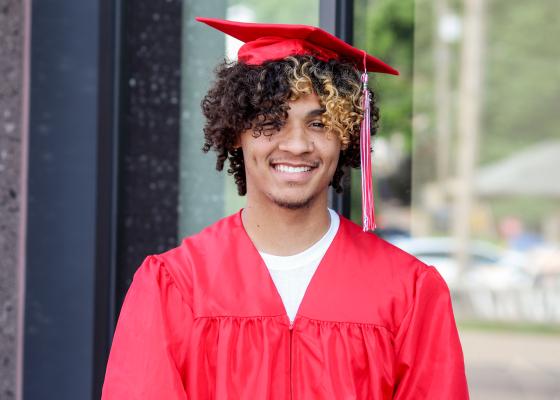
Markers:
{"x": 522, "y": 84}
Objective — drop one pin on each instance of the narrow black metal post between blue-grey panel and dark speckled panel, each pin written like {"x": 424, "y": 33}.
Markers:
{"x": 110, "y": 26}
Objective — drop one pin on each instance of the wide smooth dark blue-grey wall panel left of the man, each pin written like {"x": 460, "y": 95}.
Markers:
{"x": 61, "y": 207}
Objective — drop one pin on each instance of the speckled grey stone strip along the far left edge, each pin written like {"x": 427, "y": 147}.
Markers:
{"x": 12, "y": 149}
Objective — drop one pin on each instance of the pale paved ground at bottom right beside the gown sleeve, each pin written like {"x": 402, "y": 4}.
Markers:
{"x": 512, "y": 366}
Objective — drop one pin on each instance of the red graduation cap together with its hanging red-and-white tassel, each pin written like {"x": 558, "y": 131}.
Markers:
{"x": 270, "y": 42}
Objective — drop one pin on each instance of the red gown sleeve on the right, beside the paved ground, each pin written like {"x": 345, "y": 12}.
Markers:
{"x": 430, "y": 361}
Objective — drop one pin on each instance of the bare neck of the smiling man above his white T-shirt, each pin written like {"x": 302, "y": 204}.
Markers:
{"x": 284, "y": 232}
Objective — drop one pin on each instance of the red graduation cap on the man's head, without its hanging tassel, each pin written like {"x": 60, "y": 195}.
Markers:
{"x": 269, "y": 42}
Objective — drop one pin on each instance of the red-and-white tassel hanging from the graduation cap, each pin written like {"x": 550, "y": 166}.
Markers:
{"x": 368, "y": 207}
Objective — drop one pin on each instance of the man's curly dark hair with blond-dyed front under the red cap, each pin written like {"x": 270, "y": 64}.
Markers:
{"x": 243, "y": 95}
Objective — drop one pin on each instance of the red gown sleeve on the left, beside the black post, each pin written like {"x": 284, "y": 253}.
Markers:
{"x": 149, "y": 350}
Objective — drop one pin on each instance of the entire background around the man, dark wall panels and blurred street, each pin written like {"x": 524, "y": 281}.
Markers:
{"x": 100, "y": 165}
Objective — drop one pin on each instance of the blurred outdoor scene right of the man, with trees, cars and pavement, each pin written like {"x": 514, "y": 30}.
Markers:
{"x": 479, "y": 158}
